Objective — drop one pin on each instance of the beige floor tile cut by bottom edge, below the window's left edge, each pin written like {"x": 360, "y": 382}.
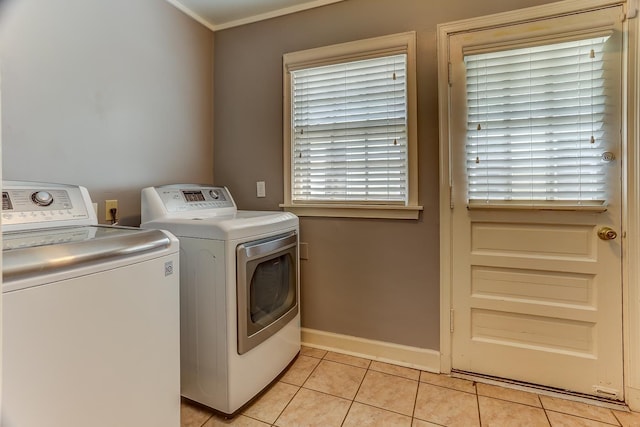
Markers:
{"x": 310, "y": 408}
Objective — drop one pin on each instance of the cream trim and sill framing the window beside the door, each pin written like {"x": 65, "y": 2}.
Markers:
{"x": 351, "y": 51}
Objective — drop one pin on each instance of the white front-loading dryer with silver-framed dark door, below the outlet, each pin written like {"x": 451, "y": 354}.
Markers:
{"x": 240, "y": 320}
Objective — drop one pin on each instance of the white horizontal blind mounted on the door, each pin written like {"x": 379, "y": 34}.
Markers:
{"x": 536, "y": 124}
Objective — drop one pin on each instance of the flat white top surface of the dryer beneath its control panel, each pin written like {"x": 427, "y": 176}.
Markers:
{"x": 240, "y": 225}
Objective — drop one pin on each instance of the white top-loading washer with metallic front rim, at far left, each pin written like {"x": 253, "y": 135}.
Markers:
{"x": 90, "y": 315}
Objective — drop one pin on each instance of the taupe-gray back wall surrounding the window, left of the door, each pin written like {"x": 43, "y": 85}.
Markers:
{"x": 374, "y": 279}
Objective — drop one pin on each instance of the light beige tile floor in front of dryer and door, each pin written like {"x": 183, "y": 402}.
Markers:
{"x": 329, "y": 389}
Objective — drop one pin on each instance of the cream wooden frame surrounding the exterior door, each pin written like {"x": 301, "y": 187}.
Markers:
{"x": 630, "y": 176}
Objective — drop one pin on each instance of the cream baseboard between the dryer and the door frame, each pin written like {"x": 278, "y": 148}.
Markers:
{"x": 411, "y": 357}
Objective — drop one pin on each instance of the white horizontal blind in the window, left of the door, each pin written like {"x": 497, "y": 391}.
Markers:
{"x": 350, "y": 132}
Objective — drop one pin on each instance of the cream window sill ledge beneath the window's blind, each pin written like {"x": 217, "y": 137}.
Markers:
{"x": 354, "y": 211}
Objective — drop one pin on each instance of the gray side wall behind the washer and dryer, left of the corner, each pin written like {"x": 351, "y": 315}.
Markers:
{"x": 114, "y": 95}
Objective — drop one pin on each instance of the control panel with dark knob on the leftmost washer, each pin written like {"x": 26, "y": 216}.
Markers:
{"x": 45, "y": 204}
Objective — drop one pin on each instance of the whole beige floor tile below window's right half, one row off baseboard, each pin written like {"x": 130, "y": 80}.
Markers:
{"x": 388, "y": 392}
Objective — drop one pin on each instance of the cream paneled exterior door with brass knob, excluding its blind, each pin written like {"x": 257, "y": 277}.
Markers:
{"x": 536, "y": 289}
